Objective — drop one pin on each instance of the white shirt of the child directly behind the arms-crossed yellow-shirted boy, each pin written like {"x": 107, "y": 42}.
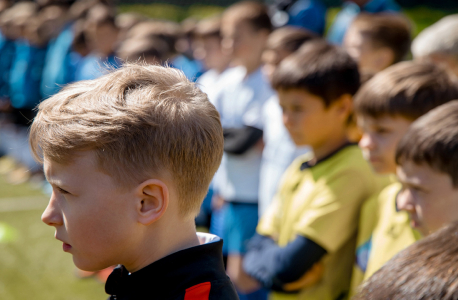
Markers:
{"x": 279, "y": 152}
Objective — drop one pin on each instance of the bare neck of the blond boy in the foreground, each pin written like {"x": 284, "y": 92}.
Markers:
{"x": 163, "y": 242}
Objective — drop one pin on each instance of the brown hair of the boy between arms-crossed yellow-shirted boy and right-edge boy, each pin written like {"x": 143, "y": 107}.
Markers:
{"x": 407, "y": 89}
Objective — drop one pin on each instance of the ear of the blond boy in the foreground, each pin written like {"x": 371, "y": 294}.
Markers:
{"x": 153, "y": 200}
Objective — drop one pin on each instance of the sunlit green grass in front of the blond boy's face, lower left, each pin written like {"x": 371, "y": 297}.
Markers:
{"x": 32, "y": 263}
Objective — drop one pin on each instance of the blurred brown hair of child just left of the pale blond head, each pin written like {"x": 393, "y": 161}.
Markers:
{"x": 386, "y": 30}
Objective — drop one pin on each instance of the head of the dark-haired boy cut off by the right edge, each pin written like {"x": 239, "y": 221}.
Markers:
{"x": 427, "y": 160}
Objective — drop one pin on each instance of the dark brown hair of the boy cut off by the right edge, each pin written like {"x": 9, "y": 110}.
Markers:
{"x": 433, "y": 140}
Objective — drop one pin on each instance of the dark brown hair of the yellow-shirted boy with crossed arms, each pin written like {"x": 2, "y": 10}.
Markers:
{"x": 321, "y": 69}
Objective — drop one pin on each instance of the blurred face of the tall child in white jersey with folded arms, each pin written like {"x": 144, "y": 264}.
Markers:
{"x": 242, "y": 41}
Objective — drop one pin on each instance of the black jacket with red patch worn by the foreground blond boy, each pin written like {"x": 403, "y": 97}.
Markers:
{"x": 196, "y": 272}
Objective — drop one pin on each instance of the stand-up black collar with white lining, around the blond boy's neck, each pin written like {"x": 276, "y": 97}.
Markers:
{"x": 172, "y": 274}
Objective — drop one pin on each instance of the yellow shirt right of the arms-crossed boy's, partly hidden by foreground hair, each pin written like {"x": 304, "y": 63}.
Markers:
{"x": 393, "y": 232}
